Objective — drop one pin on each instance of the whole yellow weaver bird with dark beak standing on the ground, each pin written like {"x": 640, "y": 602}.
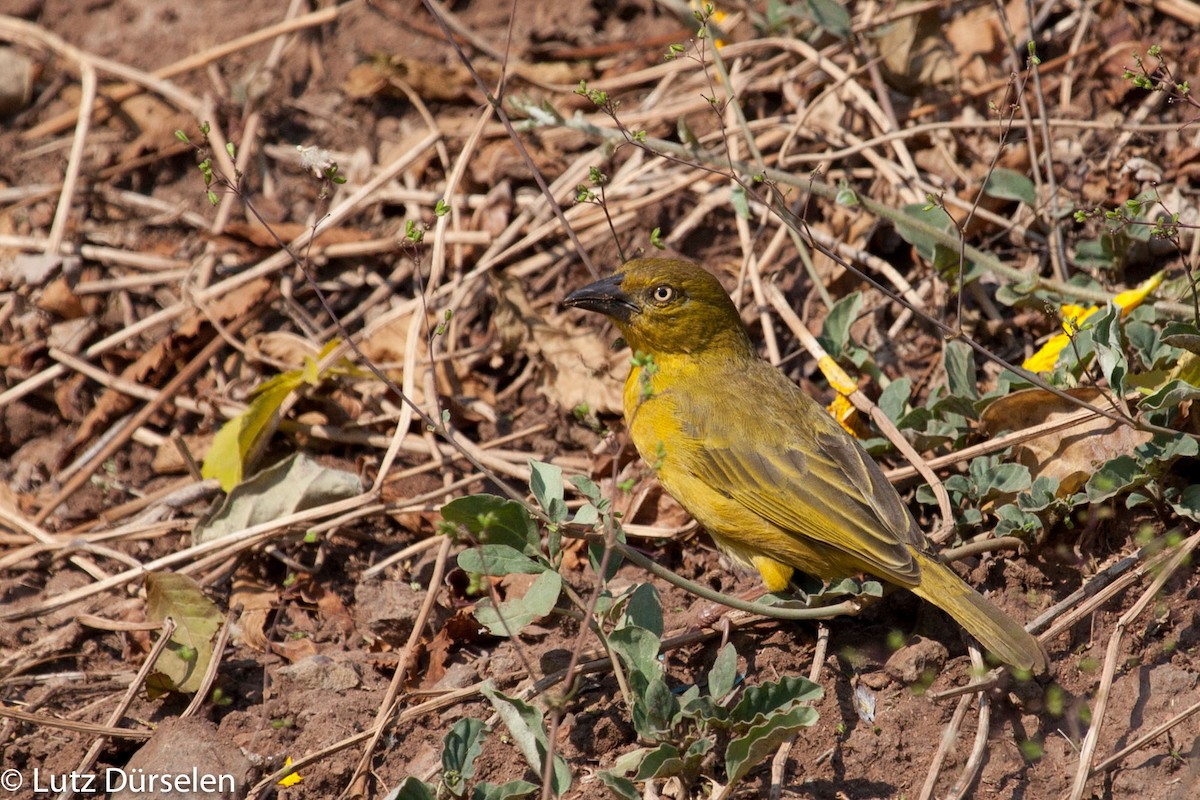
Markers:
{"x": 777, "y": 483}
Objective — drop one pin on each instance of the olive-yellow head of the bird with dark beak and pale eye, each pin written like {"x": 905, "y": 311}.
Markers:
{"x": 667, "y": 306}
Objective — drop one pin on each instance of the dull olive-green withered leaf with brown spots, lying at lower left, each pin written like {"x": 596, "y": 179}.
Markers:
{"x": 187, "y": 658}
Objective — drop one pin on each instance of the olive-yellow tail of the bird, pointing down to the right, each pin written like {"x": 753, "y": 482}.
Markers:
{"x": 997, "y": 631}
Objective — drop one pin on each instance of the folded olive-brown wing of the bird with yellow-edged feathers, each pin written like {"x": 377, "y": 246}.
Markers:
{"x": 814, "y": 482}
